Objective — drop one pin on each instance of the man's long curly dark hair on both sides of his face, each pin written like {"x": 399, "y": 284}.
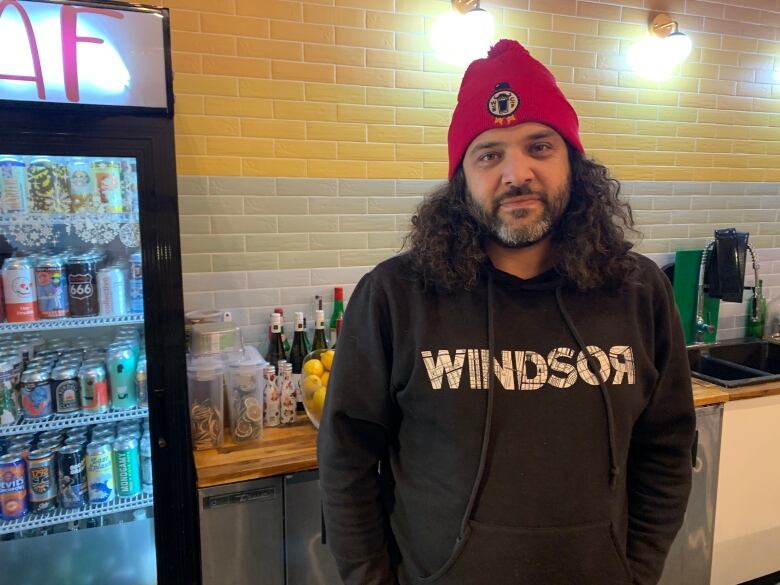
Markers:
{"x": 446, "y": 243}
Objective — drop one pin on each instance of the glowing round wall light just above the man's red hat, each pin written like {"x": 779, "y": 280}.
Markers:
{"x": 463, "y": 34}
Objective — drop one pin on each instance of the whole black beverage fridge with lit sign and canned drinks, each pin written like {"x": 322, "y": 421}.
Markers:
{"x": 96, "y": 475}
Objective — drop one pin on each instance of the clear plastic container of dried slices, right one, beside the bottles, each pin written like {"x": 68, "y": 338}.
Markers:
{"x": 245, "y": 400}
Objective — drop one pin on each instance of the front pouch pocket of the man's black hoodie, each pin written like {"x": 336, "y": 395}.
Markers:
{"x": 585, "y": 554}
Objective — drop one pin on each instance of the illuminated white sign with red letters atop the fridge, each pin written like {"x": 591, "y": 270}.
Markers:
{"x": 81, "y": 54}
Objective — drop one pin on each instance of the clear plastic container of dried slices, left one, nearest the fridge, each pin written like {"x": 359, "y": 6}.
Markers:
{"x": 205, "y": 381}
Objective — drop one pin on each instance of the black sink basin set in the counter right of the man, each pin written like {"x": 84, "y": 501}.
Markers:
{"x": 736, "y": 363}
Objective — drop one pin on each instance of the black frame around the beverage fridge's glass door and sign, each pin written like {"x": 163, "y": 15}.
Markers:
{"x": 146, "y": 134}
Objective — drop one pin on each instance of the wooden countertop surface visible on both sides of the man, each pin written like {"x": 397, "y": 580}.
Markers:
{"x": 294, "y": 448}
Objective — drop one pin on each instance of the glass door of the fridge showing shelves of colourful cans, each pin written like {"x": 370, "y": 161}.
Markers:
{"x": 76, "y": 495}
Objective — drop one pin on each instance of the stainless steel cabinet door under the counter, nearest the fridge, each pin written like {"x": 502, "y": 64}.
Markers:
{"x": 242, "y": 533}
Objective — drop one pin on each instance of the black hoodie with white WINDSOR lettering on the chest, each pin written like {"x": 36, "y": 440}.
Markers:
{"x": 435, "y": 471}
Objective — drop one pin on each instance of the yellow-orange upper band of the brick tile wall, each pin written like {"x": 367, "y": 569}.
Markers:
{"x": 349, "y": 70}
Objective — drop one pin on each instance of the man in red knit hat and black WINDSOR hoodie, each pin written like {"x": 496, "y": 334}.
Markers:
{"x": 511, "y": 400}
